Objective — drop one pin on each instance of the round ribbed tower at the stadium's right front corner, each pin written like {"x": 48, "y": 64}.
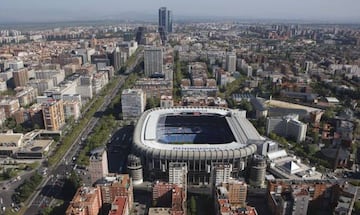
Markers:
{"x": 257, "y": 171}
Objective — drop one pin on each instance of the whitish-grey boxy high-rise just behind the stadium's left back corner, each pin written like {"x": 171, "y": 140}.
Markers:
{"x": 132, "y": 103}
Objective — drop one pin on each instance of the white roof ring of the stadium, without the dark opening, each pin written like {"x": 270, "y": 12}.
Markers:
{"x": 243, "y": 131}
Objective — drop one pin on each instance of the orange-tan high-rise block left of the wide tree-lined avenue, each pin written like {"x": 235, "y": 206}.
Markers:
{"x": 53, "y": 114}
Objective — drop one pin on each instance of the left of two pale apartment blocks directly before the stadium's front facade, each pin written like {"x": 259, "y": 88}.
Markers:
{"x": 178, "y": 174}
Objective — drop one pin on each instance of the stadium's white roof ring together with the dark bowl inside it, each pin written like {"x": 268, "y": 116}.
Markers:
{"x": 187, "y": 122}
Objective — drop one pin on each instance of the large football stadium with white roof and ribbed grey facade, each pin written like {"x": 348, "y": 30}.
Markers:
{"x": 199, "y": 136}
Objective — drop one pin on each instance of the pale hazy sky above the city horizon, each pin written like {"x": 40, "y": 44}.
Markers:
{"x": 65, "y": 10}
